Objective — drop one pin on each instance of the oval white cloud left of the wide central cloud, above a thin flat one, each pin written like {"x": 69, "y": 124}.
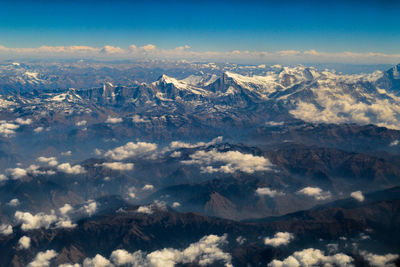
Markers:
{"x": 131, "y": 149}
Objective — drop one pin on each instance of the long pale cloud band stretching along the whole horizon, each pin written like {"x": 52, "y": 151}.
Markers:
{"x": 150, "y": 51}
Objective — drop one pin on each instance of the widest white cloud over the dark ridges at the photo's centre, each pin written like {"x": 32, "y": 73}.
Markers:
{"x": 228, "y": 162}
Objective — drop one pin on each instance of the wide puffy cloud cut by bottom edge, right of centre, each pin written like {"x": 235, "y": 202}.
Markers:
{"x": 313, "y": 257}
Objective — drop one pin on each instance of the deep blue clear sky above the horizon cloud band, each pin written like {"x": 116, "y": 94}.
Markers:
{"x": 330, "y": 26}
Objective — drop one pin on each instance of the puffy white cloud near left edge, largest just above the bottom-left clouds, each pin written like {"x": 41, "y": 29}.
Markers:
{"x": 36, "y": 221}
